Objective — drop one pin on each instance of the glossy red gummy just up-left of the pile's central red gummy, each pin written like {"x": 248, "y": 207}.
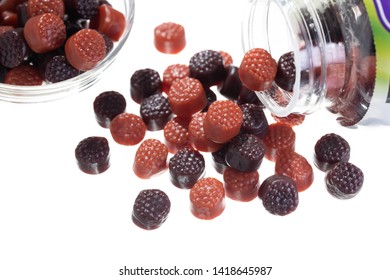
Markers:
{"x": 187, "y": 97}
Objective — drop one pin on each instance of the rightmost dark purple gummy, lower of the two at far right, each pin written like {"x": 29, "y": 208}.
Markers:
{"x": 344, "y": 180}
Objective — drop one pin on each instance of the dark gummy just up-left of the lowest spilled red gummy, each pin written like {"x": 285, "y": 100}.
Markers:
{"x": 186, "y": 167}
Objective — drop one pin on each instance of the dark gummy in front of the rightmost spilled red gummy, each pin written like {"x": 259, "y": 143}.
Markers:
{"x": 279, "y": 195}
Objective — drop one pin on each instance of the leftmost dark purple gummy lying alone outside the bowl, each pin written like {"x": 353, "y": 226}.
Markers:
{"x": 93, "y": 155}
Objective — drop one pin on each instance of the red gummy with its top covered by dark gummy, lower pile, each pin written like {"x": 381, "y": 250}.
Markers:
{"x": 241, "y": 186}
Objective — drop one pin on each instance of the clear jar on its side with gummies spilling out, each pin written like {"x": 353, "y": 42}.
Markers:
{"x": 339, "y": 54}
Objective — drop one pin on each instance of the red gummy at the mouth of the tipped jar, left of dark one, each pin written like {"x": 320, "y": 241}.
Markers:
{"x": 257, "y": 69}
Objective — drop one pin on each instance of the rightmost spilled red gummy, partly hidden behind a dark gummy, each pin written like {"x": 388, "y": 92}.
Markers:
{"x": 295, "y": 166}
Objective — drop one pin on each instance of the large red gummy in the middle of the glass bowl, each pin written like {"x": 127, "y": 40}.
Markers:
{"x": 45, "y": 32}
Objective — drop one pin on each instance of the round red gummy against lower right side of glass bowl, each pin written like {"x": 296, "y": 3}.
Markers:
{"x": 85, "y": 49}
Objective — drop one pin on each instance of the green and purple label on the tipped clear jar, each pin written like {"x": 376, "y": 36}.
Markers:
{"x": 379, "y": 14}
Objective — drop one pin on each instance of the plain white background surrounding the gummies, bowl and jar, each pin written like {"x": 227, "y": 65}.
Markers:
{"x": 59, "y": 223}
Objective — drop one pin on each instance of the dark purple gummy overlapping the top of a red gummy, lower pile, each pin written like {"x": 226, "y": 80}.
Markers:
{"x": 245, "y": 153}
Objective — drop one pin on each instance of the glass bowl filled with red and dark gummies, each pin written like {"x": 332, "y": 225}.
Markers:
{"x": 112, "y": 21}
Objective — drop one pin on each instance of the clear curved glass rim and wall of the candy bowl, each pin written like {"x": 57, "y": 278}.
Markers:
{"x": 54, "y": 91}
